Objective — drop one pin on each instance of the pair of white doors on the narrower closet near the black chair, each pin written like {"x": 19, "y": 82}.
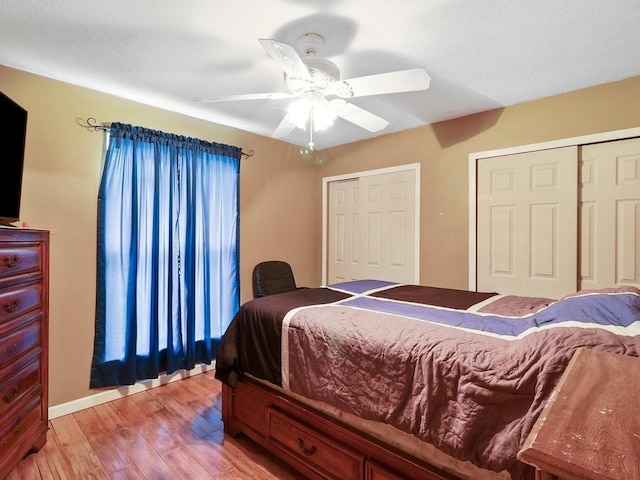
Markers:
{"x": 372, "y": 228}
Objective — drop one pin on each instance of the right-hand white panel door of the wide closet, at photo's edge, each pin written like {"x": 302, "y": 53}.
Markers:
{"x": 610, "y": 214}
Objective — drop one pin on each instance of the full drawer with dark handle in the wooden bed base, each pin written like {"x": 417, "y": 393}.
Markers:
{"x": 323, "y": 454}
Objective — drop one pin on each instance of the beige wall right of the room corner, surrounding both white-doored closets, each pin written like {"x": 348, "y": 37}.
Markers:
{"x": 443, "y": 149}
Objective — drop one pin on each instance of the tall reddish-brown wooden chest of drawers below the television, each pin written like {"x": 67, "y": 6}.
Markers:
{"x": 24, "y": 281}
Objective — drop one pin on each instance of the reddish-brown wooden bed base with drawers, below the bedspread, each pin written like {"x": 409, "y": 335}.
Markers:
{"x": 318, "y": 446}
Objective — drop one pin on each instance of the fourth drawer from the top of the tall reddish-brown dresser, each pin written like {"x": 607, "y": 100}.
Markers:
{"x": 16, "y": 381}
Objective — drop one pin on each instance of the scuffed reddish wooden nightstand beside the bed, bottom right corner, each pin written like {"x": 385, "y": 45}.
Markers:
{"x": 590, "y": 427}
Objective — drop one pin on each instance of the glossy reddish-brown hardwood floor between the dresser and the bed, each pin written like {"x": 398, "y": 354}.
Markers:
{"x": 169, "y": 432}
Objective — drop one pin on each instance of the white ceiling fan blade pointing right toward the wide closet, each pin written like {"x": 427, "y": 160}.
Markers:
{"x": 393, "y": 82}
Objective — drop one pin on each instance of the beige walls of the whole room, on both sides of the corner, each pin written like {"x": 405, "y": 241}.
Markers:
{"x": 280, "y": 205}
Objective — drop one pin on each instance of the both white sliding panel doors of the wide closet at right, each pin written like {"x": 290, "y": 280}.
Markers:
{"x": 541, "y": 231}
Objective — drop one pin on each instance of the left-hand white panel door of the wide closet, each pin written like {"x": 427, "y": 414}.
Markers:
{"x": 527, "y": 223}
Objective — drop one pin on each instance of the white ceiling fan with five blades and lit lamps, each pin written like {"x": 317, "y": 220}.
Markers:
{"x": 320, "y": 93}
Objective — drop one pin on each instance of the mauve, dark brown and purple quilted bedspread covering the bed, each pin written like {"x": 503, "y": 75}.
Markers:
{"x": 469, "y": 375}
